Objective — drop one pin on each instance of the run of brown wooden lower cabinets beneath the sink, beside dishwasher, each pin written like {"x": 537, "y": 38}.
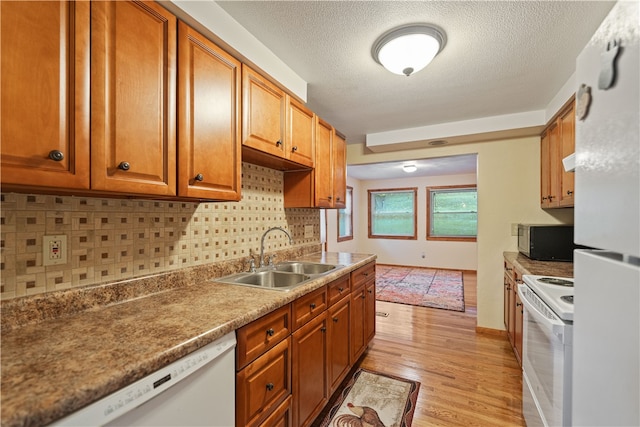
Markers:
{"x": 290, "y": 361}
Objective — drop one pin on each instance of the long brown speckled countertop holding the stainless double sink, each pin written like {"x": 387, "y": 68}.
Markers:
{"x": 56, "y": 365}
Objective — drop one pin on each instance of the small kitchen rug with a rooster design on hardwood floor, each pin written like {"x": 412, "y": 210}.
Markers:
{"x": 373, "y": 399}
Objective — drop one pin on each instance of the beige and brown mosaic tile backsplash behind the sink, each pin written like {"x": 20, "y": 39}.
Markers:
{"x": 116, "y": 239}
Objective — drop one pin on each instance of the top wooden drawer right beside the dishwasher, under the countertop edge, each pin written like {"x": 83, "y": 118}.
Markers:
{"x": 261, "y": 335}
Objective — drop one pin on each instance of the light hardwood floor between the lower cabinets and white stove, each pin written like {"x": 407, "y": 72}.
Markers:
{"x": 467, "y": 379}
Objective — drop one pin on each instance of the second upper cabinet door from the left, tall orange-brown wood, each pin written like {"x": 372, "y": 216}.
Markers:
{"x": 133, "y": 86}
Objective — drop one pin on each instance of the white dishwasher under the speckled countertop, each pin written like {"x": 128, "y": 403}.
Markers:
{"x": 197, "y": 390}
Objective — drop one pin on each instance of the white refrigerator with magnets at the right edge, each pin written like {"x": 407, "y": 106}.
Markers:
{"x": 606, "y": 348}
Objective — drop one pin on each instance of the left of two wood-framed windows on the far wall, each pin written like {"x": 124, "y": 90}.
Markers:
{"x": 392, "y": 213}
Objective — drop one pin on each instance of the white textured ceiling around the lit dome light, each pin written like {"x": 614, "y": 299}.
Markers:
{"x": 501, "y": 57}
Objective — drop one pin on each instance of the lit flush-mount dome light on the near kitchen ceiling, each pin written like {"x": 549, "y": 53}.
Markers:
{"x": 408, "y": 49}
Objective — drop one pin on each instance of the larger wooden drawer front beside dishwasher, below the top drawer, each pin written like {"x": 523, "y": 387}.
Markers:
{"x": 263, "y": 385}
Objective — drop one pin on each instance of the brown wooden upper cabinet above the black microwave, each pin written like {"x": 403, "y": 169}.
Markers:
{"x": 557, "y": 142}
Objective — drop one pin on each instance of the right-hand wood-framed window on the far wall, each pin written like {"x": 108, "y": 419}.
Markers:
{"x": 452, "y": 213}
